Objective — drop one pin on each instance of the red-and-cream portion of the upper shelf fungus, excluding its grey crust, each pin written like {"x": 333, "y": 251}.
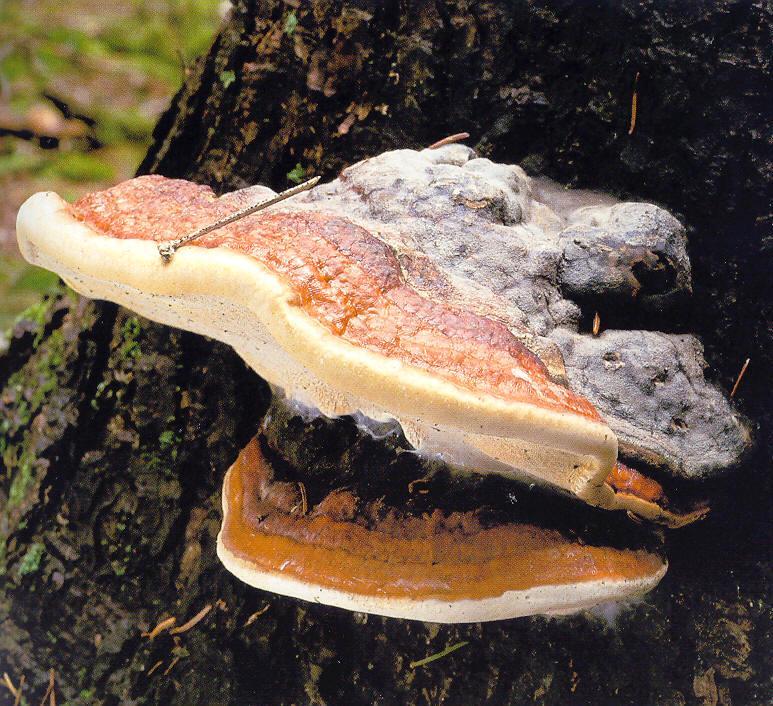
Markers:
{"x": 336, "y": 315}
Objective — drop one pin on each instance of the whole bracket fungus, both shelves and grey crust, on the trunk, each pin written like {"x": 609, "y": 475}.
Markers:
{"x": 439, "y": 291}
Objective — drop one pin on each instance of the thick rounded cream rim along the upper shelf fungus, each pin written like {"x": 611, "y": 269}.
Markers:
{"x": 50, "y": 236}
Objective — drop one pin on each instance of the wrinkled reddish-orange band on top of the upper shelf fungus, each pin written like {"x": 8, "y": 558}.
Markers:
{"x": 342, "y": 276}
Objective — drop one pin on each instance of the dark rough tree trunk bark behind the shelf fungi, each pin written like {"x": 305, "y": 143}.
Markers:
{"x": 115, "y": 432}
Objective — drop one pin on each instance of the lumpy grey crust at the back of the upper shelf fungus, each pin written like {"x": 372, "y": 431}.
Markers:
{"x": 528, "y": 252}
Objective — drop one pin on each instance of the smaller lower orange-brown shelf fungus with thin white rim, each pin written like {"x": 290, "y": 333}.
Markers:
{"x": 435, "y": 567}
